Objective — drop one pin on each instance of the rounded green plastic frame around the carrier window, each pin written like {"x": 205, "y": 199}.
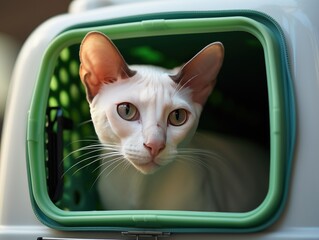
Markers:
{"x": 173, "y": 221}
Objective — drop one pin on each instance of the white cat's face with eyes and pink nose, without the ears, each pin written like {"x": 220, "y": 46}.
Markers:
{"x": 147, "y": 116}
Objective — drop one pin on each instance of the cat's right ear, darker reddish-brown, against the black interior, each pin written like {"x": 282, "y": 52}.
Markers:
{"x": 201, "y": 71}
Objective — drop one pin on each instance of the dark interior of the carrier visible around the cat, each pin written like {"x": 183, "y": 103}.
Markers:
{"x": 237, "y": 107}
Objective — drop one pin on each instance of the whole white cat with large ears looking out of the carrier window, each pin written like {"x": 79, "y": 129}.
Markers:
{"x": 146, "y": 119}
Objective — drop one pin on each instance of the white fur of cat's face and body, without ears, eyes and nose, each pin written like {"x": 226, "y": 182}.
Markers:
{"x": 234, "y": 180}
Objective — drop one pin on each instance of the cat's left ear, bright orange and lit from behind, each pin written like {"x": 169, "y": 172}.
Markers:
{"x": 101, "y": 63}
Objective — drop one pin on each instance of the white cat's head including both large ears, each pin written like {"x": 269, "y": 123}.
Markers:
{"x": 146, "y": 111}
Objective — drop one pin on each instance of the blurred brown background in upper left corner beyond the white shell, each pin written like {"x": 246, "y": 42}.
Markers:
{"x": 17, "y": 20}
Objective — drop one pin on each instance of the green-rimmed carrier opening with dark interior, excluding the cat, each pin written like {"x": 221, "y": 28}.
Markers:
{"x": 64, "y": 197}
